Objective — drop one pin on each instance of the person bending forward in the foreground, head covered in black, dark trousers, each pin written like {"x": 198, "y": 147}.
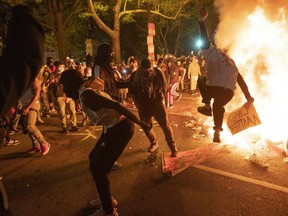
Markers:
{"x": 118, "y": 129}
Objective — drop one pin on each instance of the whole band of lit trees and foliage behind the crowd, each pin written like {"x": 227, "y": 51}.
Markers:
{"x": 67, "y": 24}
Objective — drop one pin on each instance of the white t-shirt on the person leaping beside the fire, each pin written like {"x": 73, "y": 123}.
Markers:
{"x": 221, "y": 69}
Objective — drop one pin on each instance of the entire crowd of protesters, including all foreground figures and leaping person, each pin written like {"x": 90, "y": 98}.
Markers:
{"x": 99, "y": 89}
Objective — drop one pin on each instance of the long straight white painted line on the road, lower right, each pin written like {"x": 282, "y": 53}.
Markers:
{"x": 242, "y": 178}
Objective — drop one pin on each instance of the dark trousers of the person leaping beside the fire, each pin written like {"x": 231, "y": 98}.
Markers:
{"x": 221, "y": 97}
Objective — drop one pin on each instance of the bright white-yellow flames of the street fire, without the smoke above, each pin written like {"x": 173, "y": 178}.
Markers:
{"x": 260, "y": 50}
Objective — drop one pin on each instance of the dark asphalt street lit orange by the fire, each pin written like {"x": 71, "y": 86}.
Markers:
{"x": 220, "y": 182}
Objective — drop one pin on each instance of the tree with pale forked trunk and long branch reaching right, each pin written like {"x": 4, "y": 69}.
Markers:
{"x": 136, "y": 7}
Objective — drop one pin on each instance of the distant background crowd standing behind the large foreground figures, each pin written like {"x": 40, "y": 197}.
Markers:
{"x": 181, "y": 74}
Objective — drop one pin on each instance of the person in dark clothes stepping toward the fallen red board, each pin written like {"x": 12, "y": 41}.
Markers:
{"x": 148, "y": 88}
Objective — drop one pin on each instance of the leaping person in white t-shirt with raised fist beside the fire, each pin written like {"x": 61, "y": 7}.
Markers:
{"x": 221, "y": 78}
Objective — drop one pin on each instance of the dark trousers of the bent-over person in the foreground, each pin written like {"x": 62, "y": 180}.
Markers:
{"x": 106, "y": 151}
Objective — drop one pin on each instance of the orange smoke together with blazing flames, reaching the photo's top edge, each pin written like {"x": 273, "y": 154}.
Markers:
{"x": 255, "y": 33}
